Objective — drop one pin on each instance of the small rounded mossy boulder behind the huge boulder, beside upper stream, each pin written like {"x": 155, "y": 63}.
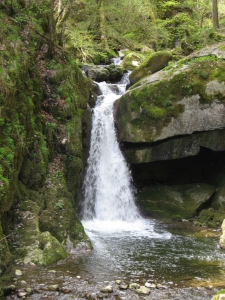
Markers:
{"x": 154, "y": 63}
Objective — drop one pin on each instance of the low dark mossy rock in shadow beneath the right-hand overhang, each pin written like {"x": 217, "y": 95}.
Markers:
{"x": 174, "y": 202}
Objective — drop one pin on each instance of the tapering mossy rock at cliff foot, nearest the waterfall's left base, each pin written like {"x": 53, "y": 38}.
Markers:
{"x": 59, "y": 217}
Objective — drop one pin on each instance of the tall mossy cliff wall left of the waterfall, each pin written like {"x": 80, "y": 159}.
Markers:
{"x": 42, "y": 103}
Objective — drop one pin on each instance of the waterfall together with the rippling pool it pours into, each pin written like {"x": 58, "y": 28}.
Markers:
{"x": 125, "y": 244}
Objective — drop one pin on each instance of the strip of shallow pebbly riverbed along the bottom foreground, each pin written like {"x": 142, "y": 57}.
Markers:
{"x": 38, "y": 284}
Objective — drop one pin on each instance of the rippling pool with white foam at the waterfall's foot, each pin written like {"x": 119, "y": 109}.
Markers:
{"x": 146, "y": 249}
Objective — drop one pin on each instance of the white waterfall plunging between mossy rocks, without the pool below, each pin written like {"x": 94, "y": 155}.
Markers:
{"x": 108, "y": 191}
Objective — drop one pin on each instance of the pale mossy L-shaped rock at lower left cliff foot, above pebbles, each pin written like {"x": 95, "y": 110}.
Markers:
{"x": 31, "y": 245}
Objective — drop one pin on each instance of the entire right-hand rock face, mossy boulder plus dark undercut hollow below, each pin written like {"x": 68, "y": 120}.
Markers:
{"x": 172, "y": 128}
